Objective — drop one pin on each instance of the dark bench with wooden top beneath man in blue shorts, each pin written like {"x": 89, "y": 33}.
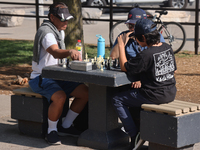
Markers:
{"x": 30, "y": 109}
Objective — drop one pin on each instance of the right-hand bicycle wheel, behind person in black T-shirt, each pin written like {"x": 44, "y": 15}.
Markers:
{"x": 174, "y": 35}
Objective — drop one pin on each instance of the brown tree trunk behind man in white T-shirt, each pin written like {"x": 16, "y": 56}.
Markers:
{"x": 74, "y": 29}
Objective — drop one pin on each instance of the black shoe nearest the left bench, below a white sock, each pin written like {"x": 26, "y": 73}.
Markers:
{"x": 52, "y": 138}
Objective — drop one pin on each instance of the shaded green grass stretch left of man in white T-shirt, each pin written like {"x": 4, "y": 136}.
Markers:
{"x": 15, "y": 52}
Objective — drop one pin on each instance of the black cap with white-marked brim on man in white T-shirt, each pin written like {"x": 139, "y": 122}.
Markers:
{"x": 62, "y": 13}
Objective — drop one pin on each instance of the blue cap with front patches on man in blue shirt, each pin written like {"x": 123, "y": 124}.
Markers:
{"x": 135, "y": 14}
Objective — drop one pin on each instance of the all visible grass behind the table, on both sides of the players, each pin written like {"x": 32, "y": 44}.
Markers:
{"x": 14, "y": 52}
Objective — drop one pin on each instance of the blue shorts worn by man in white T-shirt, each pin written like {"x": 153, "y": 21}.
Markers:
{"x": 49, "y": 86}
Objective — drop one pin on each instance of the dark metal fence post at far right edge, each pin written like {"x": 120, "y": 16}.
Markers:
{"x": 196, "y": 27}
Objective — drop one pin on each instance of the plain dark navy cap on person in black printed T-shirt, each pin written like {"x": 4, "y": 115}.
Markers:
{"x": 144, "y": 26}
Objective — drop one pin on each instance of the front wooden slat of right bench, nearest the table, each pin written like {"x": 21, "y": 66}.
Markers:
{"x": 162, "y": 109}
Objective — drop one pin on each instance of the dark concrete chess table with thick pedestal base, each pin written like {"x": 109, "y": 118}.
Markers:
{"x": 104, "y": 131}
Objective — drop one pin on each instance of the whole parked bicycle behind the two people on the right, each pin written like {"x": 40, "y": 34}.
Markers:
{"x": 173, "y": 32}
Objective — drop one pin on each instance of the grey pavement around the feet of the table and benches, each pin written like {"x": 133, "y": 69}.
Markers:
{"x": 12, "y": 139}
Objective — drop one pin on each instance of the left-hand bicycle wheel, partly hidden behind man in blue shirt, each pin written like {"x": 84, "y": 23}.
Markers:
{"x": 116, "y": 30}
